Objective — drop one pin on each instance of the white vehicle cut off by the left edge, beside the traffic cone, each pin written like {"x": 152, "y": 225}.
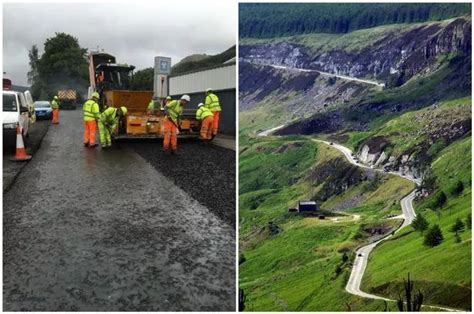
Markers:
{"x": 15, "y": 110}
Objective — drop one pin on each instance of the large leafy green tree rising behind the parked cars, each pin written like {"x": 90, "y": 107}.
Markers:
{"x": 62, "y": 65}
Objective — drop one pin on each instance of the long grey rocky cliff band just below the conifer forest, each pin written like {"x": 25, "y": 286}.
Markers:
{"x": 401, "y": 54}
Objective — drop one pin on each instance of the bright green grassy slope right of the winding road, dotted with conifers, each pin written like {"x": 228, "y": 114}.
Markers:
{"x": 443, "y": 272}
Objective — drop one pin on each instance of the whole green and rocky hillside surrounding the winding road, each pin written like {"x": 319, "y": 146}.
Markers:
{"x": 421, "y": 119}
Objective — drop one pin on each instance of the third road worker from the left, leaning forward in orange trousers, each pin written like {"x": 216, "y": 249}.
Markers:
{"x": 174, "y": 110}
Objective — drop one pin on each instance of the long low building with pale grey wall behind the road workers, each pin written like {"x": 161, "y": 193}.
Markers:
{"x": 222, "y": 79}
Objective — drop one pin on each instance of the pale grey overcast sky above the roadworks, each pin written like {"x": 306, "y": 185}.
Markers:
{"x": 134, "y": 31}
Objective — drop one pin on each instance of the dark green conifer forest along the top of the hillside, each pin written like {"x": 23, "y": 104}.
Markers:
{"x": 266, "y": 20}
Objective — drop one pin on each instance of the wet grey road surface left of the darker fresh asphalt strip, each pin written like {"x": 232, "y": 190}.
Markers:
{"x": 96, "y": 230}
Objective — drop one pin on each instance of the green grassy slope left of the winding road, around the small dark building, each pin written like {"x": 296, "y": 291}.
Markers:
{"x": 295, "y": 270}
